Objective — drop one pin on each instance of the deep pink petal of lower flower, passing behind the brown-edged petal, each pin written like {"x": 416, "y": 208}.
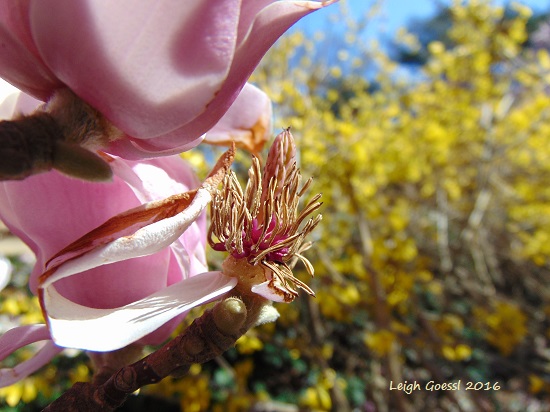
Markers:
{"x": 47, "y": 222}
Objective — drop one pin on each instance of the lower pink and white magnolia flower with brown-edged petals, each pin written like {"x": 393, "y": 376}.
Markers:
{"x": 103, "y": 308}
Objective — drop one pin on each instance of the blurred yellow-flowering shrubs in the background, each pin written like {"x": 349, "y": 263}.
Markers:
{"x": 432, "y": 260}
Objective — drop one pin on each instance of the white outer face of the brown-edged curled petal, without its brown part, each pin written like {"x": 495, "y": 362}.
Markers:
{"x": 145, "y": 241}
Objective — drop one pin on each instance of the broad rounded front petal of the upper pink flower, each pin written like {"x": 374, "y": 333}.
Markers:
{"x": 163, "y": 61}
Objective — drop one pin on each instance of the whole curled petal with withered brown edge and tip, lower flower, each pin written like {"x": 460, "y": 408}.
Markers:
{"x": 157, "y": 225}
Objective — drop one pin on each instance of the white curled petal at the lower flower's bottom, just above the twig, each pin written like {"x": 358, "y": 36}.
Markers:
{"x": 77, "y": 326}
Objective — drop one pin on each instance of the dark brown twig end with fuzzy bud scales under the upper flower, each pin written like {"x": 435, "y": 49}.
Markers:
{"x": 64, "y": 135}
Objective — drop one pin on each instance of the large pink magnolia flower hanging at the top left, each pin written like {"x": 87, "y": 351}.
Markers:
{"x": 161, "y": 72}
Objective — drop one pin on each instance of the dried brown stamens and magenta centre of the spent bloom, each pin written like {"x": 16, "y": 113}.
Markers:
{"x": 262, "y": 228}
